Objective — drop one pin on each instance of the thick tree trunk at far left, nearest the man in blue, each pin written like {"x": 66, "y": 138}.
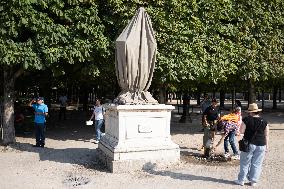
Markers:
{"x": 8, "y": 106}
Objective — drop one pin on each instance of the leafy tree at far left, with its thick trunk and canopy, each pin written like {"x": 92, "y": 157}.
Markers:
{"x": 37, "y": 34}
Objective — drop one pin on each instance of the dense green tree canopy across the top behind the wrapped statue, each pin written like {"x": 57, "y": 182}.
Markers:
{"x": 211, "y": 43}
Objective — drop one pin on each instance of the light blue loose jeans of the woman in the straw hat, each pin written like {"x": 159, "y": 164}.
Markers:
{"x": 251, "y": 163}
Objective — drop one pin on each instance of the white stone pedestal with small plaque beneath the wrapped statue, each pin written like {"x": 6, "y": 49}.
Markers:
{"x": 136, "y": 136}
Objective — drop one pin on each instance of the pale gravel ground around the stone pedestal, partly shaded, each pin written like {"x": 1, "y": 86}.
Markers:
{"x": 69, "y": 161}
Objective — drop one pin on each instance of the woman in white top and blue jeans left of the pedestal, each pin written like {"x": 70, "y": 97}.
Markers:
{"x": 98, "y": 113}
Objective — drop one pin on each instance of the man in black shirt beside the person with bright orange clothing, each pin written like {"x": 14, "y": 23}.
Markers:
{"x": 209, "y": 119}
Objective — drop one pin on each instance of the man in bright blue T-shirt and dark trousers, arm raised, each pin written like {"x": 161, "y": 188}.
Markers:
{"x": 41, "y": 111}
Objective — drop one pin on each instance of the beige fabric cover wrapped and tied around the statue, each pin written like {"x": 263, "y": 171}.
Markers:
{"x": 135, "y": 60}
